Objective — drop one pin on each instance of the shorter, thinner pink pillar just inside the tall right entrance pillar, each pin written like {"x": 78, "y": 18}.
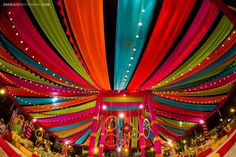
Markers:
{"x": 141, "y": 139}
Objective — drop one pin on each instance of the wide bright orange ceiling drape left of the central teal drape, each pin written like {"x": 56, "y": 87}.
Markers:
{"x": 86, "y": 20}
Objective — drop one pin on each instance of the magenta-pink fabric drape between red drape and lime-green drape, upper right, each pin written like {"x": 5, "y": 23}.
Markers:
{"x": 199, "y": 27}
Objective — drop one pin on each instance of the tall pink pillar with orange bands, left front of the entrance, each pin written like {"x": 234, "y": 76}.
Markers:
{"x": 95, "y": 126}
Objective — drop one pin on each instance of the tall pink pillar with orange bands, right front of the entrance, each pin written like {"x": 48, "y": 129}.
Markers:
{"x": 154, "y": 124}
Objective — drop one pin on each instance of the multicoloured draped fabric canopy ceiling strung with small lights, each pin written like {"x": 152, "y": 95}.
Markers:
{"x": 63, "y": 61}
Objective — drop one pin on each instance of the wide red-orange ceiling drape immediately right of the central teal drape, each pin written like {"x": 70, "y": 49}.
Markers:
{"x": 168, "y": 26}
